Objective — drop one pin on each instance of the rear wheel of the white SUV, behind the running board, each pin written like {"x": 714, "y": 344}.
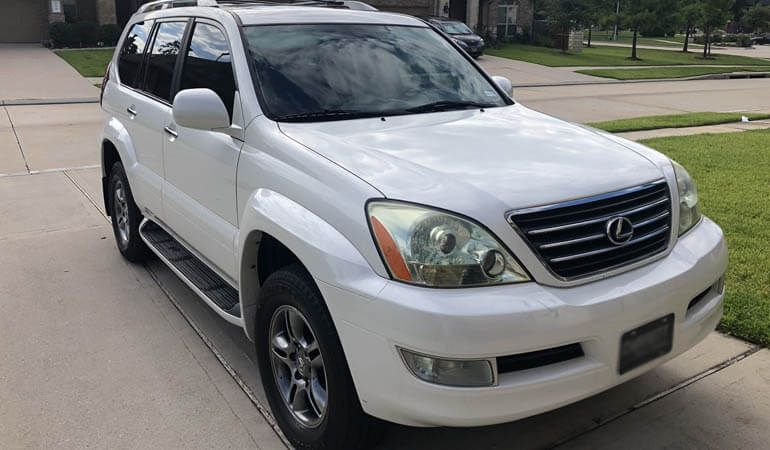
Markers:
{"x": 126, "y": 216}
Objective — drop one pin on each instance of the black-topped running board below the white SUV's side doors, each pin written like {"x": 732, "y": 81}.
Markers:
{"x": 193, "y": 271}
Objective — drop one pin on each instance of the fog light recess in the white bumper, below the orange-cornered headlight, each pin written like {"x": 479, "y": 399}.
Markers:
{"x": 450, "y": 372}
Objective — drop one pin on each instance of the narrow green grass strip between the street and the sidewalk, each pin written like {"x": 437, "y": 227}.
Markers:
{"x": 674, "y": 121}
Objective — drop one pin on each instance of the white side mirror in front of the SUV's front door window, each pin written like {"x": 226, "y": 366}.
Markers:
{"x": 201, "y": 109}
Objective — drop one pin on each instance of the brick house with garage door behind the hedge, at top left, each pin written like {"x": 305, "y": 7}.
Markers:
{"x": 28, "y": 20}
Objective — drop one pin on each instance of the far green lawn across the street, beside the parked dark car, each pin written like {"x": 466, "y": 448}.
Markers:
{"x": 614, "y": 56}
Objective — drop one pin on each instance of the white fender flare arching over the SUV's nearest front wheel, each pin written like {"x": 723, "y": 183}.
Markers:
{"x": 322, "y": 249}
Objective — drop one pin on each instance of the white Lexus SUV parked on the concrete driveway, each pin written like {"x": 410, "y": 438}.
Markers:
{"x": 400, "y": 239}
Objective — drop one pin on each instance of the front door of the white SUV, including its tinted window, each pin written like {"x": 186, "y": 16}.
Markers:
{"x": 199, "y": 195}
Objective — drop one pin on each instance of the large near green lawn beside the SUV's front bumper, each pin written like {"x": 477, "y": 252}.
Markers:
{"x": 732, "y": 172}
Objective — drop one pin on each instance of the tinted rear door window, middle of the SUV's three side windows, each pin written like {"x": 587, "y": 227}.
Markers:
{"x": 162, "y": 59}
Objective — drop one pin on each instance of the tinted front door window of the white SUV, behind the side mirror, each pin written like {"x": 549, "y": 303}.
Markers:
{"x": 207, "y": 64}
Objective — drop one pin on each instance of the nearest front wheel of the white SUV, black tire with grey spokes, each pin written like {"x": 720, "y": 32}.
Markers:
{"x": 303, "y": 368}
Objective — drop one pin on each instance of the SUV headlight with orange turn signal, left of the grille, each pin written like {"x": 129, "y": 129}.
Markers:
{"x": 434, "y": 248}
